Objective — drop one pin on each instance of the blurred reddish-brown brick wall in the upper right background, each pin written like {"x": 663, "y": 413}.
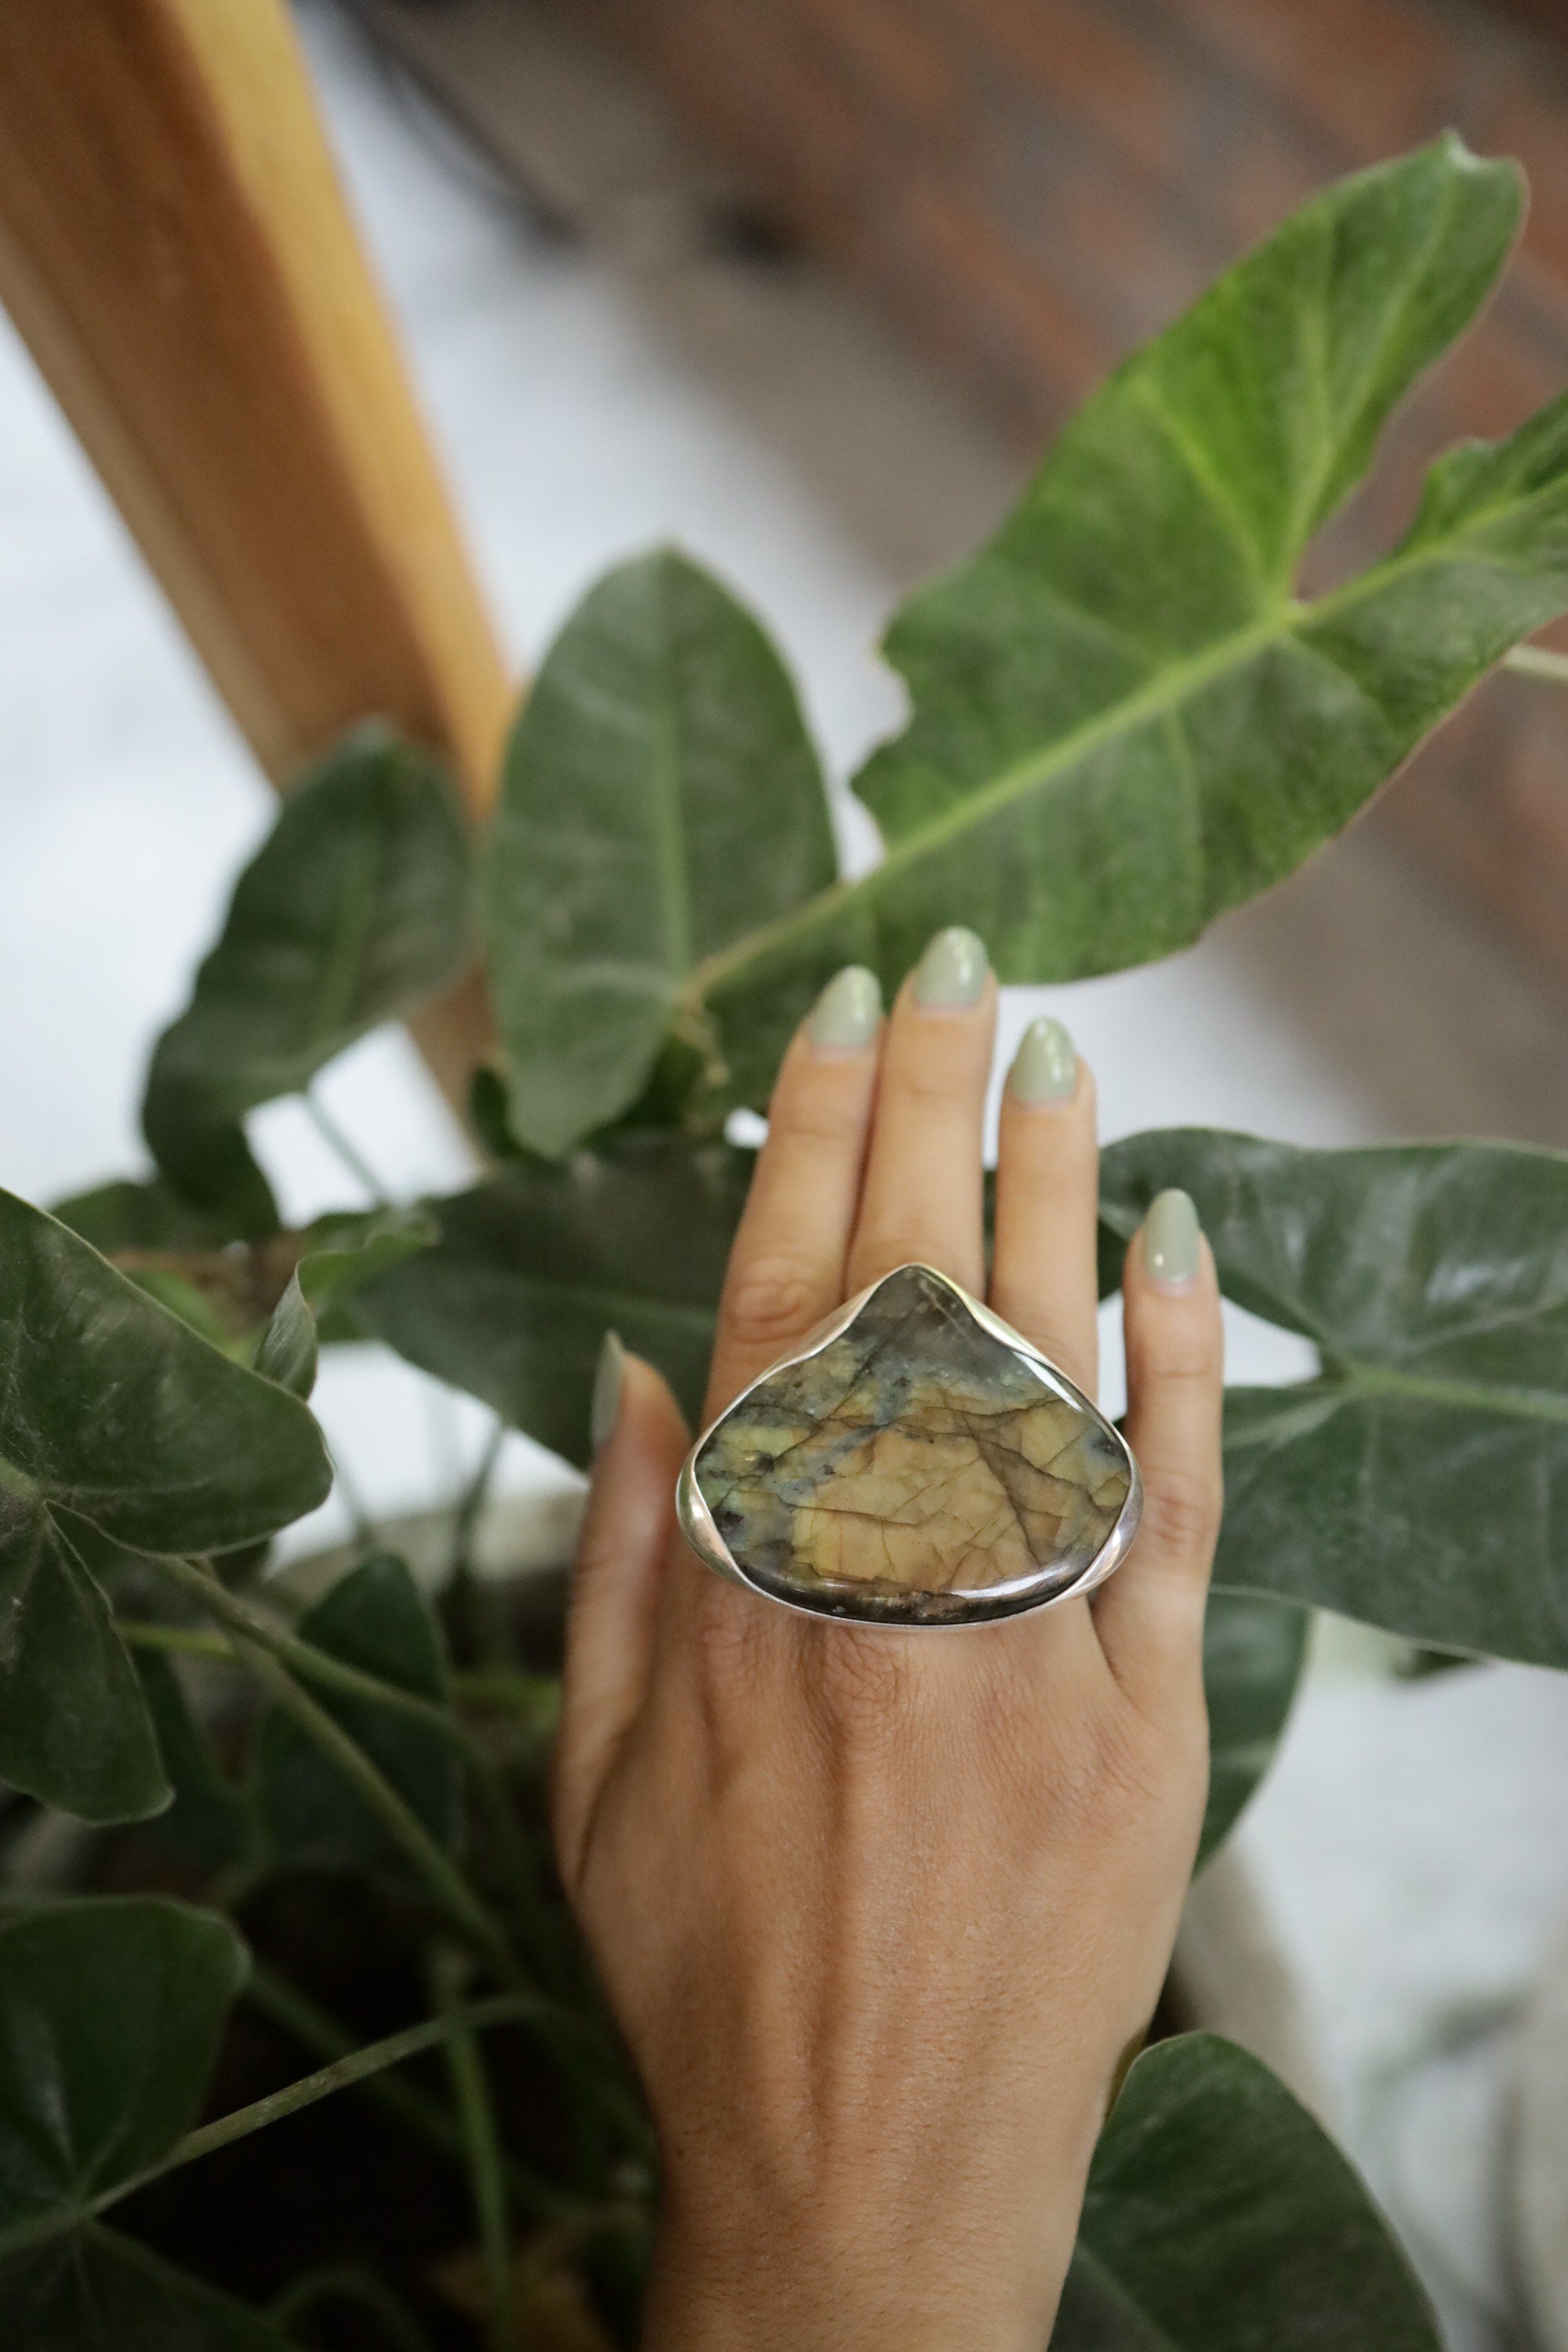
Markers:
{"x": 1033, "y": 187}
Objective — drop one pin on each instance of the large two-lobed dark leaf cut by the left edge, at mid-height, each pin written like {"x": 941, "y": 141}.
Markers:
{"x": 114, "y": 1412}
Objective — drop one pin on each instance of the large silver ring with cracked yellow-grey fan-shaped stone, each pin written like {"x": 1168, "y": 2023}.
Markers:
{"x": 916, "y": 1462}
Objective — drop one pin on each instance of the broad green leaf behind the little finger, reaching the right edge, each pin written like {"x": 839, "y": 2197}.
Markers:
{"x": 1421, "y": 1481}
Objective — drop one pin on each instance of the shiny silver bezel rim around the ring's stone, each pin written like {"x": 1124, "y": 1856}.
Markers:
{"x": 838, "y": 1601}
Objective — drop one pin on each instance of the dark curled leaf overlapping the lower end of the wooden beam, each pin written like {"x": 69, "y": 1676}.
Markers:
{"x": 354, "y": 911}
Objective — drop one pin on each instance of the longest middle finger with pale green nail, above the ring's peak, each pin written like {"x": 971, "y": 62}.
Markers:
{"x": 923, "y": 1180}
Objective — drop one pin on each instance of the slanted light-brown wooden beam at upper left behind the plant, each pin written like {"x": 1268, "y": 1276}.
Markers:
{"x": 177, "y": 253}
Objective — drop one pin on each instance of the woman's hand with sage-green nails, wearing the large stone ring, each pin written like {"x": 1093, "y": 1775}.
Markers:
{"x": 880, "y": 1913}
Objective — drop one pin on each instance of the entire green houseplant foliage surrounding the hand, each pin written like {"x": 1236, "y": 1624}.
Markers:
{"x": 1123, "y": 721}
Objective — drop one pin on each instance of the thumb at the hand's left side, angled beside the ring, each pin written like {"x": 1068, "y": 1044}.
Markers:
{"x": 615, "y": 1584}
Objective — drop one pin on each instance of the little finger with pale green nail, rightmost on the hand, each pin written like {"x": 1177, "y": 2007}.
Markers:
{"x": 1151, "y": 1615}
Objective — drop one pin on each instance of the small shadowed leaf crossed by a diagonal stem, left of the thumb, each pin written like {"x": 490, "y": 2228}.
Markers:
{"x": 380, "y": 1622}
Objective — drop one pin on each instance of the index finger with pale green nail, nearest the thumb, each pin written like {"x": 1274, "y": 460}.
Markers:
{"x": 786, "y": 1267}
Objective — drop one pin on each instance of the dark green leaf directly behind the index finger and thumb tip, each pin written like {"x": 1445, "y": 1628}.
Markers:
{"x": 537, "y": 1267}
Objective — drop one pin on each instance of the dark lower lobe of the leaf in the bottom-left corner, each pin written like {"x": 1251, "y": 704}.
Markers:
{"x": 100, "y": 2292}
